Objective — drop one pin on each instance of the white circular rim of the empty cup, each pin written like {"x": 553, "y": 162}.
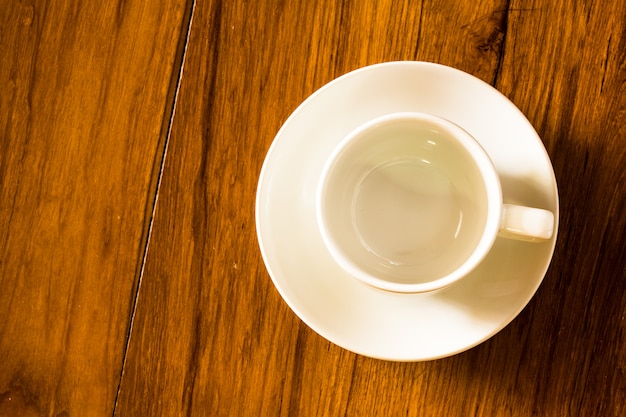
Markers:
{"x": 494, "y": 206}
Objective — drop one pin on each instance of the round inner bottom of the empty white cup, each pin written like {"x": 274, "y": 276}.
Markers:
{"x": 413, "y": 239}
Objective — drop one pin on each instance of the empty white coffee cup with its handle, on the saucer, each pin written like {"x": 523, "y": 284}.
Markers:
{"x": 411, "y": 202}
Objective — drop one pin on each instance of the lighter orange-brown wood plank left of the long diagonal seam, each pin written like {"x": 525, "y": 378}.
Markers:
{"x": 85, "y": 104}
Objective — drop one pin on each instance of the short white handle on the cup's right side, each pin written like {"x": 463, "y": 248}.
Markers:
{"x": 526, "y": 223}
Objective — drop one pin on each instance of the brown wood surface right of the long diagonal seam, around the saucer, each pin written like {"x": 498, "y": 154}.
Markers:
{"x": 211, "y": 334}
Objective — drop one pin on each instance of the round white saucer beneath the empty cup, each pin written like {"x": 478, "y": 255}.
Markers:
{"x": 349, "y": 313}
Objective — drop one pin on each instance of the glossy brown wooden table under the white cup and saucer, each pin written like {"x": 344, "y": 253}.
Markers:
{"x": 132, "y": 134}
